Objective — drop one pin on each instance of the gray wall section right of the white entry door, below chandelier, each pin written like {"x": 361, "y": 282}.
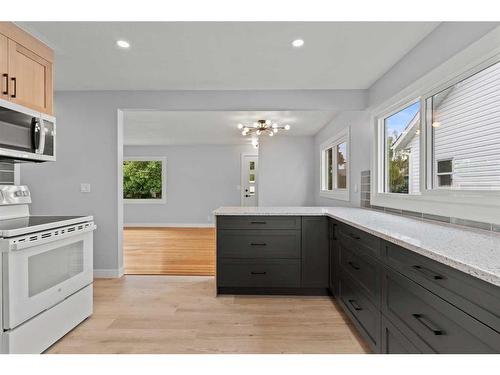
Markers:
{"x": 286, "y": 171}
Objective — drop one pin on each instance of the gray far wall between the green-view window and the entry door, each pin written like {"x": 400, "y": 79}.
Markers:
{"x": 199, "y": 179}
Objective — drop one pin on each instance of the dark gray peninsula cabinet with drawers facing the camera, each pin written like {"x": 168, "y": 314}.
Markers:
{"x": 272, "y": 255}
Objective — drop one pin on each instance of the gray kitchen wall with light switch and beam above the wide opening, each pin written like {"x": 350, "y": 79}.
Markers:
{"x": 88, "y": 150}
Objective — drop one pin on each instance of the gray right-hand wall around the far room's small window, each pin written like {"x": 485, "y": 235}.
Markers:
{"x": 359, "y": 153}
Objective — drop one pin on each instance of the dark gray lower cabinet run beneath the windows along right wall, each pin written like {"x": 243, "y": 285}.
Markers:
{"x": 402, "y": 302}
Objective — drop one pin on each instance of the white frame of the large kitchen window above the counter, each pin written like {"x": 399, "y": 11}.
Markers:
{"x": 473, "y": 204}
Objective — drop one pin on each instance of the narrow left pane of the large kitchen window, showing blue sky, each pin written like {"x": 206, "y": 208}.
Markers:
{"x": 401, "y": 150}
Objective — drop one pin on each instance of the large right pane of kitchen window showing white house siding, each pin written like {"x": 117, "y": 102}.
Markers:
{"x": 463, "y": 123}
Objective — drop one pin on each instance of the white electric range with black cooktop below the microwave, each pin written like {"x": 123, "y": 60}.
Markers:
{"x": 46, "y": 273}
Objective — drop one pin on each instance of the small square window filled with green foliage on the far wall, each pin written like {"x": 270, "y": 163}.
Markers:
{"x": 144, "y": 180}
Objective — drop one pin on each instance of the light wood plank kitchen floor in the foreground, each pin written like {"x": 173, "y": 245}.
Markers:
{"x": 181, "y": 314}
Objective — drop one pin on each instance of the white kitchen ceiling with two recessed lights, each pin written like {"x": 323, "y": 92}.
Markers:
{"x": 225, "y": 55}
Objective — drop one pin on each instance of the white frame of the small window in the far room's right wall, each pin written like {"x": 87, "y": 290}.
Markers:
{"x": 333, "y": 142}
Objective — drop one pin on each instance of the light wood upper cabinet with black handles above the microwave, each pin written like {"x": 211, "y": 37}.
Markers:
{"x": 28, "y": 64}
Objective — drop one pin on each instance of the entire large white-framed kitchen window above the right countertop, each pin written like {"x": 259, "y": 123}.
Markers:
{"x": 437, "y": 150}
